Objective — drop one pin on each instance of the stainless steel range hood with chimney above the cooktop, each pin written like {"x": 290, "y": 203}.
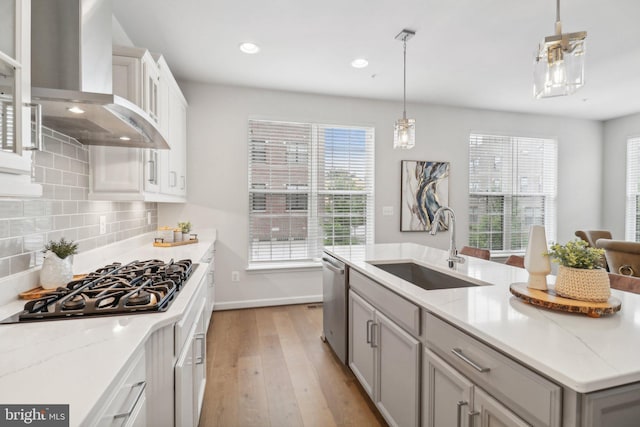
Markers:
{"x": 71, "y": 51}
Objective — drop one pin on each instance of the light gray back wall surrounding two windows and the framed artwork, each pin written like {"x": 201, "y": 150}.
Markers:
{"x": 217, "y": 182}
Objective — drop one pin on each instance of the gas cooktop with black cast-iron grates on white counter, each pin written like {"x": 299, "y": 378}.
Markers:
{"x": 115, "y": 289}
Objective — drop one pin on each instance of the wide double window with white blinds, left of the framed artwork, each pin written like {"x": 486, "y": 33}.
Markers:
{"x": 296, "y": 155}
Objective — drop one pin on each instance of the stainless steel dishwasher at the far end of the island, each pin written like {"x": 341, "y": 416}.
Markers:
{"x": 334, "y": 305}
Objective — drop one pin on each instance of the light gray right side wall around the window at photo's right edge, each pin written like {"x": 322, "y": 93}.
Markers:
{"x": 616, "y": 133}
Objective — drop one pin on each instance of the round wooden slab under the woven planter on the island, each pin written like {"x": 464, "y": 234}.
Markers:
{"x": 549, "y": 299}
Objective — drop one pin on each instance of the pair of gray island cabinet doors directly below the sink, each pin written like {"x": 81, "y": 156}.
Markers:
{"x": 386, "y": 361}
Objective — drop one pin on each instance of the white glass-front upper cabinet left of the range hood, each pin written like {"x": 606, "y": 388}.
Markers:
{"x": 15, "y": 95}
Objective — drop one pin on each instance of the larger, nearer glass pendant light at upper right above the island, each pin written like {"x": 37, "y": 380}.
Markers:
{"x": 559, "y": 65}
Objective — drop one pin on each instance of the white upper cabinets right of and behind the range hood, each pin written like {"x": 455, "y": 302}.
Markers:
{"x": 144, "y": 174}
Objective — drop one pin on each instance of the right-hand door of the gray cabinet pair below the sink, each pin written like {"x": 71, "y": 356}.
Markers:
{"x": 398, "y": 385}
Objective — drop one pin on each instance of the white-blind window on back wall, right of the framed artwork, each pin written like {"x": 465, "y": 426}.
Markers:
{"x": 512, "y": 185}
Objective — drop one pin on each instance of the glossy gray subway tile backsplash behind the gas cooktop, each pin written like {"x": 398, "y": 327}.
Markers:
{"x": 64, "y": 211}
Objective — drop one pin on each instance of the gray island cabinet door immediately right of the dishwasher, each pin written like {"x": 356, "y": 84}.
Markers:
{"x": 361, "y": 352}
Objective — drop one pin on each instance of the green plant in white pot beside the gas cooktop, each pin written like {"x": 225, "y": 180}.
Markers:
{"x": 57, "y": 265}
